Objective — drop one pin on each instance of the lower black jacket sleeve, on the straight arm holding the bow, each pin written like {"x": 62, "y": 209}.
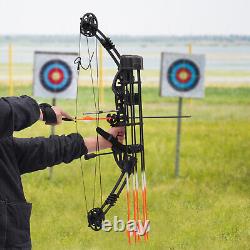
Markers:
{"x": 39, "y": 153}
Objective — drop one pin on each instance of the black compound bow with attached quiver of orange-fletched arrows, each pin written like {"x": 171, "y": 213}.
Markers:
{"x": 126, "y": 87}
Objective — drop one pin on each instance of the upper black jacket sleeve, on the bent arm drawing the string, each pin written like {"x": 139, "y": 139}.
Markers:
{"x": 17, "y": 113}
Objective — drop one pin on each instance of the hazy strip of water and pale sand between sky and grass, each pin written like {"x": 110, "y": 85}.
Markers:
{"x": 227, "y": 57}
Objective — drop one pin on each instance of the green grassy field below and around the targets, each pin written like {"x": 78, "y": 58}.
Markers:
{"x": 207, "y": 207}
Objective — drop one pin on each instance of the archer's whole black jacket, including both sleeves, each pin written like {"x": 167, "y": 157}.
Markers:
{"x": 19, "y": 156}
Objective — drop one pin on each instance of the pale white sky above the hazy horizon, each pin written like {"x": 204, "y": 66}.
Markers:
{"x": 127, "y": 17}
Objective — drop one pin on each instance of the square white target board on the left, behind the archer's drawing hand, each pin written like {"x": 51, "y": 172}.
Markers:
{"x": 55, "y": 75}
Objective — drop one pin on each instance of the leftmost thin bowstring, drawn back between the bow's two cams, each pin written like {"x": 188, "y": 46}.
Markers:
{"x": 76, "y": 125}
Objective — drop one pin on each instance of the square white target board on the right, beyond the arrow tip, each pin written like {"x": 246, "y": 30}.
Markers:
{"x": 182, "y": 75}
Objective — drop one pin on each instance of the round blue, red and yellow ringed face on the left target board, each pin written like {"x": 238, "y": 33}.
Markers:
{"x": 55, "y": 76}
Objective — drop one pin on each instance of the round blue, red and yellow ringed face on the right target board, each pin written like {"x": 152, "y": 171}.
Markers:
{"x": 183, "y": 75}
